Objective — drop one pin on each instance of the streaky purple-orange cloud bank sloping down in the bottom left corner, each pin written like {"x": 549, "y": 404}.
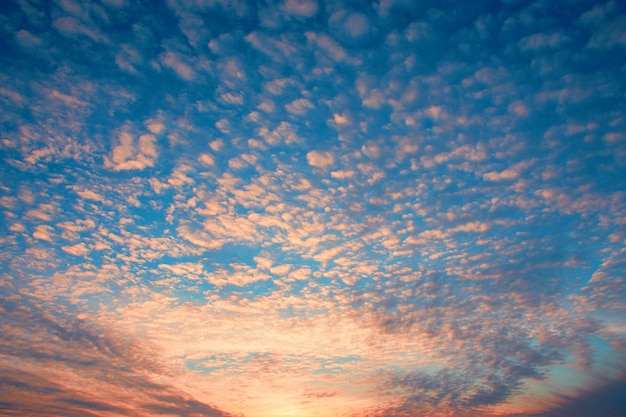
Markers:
{"x": 75, "y": 351}
